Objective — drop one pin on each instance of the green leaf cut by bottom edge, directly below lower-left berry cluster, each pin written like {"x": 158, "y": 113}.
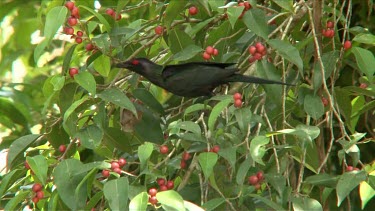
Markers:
{"x": 116, "y": 192}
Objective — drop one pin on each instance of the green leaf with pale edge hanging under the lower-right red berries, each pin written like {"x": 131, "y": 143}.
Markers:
{"x": 347, "y": 182}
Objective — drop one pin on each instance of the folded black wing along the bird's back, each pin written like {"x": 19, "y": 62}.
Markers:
{"x": 171, "y": 70}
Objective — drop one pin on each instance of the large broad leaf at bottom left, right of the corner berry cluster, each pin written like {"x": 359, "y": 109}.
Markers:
{"x": 66, "y": 180}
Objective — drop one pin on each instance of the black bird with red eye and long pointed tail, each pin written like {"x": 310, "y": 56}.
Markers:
{"x": 192, "y": 79}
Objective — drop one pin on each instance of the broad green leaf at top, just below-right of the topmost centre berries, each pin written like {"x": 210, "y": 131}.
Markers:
{"x": 255, "y": 20}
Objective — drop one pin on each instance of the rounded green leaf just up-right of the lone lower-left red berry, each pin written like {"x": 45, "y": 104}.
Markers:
{"x": 90, "y": 136}
